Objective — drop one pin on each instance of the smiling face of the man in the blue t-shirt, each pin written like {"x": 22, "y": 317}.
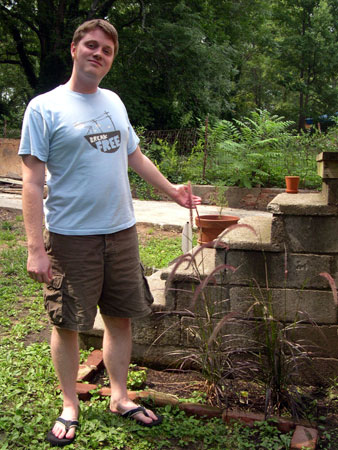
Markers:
{"x": 93, "y": 55}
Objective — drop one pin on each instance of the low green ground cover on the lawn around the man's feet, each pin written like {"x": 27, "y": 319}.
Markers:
{"x": 30, "y": 401}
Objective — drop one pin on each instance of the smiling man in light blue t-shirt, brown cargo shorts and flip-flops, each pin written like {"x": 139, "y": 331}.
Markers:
{"x": 89, "y": 254}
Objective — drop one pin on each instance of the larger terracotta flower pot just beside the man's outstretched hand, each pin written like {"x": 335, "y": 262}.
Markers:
{"x": 210, "y": 226}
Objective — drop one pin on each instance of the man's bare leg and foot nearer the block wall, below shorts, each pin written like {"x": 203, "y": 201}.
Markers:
{"x": 116, "y": 355}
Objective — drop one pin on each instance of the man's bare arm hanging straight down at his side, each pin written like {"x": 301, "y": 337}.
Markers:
{"x": 33, "y": 175}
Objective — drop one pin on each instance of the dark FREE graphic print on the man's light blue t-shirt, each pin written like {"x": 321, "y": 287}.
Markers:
{"x": 106, "y": 141}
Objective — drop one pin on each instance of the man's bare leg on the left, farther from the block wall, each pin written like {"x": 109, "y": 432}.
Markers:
{"x": 65, "y": 355}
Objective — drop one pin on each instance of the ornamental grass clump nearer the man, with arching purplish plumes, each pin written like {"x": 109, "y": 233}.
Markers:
{"x": 215, "y": 348}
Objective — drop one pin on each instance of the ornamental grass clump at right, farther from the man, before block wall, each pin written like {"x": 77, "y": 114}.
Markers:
{"x": 282, "y": 358}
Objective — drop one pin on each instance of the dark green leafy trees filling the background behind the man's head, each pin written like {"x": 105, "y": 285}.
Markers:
{"x": 183, "y": 60}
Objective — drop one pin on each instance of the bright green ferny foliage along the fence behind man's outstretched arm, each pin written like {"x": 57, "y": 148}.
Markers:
{"x": 259, "y": 150}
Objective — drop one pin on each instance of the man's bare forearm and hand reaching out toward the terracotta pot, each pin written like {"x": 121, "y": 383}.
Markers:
{"x": 149, "y": 172}
